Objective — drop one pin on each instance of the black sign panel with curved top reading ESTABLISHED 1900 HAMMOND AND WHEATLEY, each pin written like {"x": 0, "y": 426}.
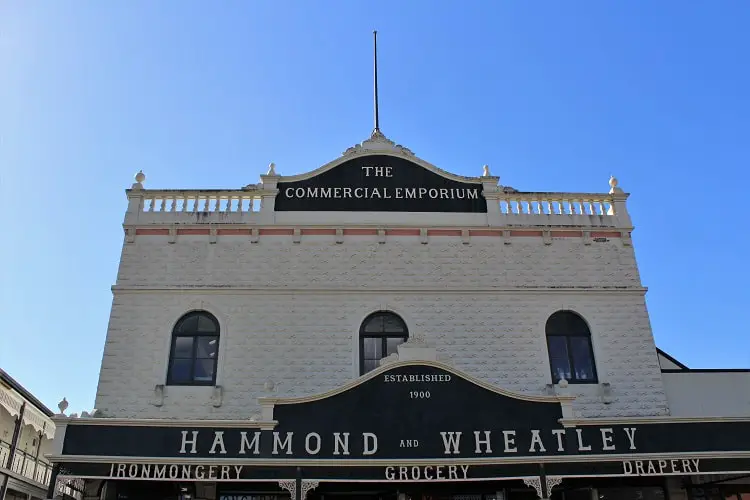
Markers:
{"x": 408, "y": 412}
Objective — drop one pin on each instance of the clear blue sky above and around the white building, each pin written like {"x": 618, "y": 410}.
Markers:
{"x": 552, "y": 95}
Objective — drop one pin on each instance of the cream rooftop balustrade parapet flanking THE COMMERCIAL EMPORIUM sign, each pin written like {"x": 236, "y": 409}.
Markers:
{"x": 254, "y": 204}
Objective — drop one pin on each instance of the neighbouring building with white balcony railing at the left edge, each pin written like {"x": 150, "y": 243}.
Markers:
{"x": 26, "y": 433}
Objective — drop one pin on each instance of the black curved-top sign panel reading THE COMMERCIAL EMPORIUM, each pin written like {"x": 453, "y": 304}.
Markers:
{"x": 380, "y": 183}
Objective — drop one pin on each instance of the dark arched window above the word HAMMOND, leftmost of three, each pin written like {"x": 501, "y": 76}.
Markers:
{"x": 195, "y": 349}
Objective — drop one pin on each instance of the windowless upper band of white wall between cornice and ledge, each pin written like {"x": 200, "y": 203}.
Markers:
{"x": 360, "y": 261}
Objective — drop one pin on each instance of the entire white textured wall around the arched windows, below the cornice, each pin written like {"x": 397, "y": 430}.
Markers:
{"x": 290, "y": 314}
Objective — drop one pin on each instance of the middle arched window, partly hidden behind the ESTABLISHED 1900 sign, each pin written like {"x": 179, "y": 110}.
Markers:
{"x": 379, "y": 335}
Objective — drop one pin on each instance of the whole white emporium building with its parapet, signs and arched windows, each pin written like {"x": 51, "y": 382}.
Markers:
{"x": 381, "y": 328}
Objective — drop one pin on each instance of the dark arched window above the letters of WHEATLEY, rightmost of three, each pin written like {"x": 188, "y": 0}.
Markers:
{"x": 571, "y": 355}
